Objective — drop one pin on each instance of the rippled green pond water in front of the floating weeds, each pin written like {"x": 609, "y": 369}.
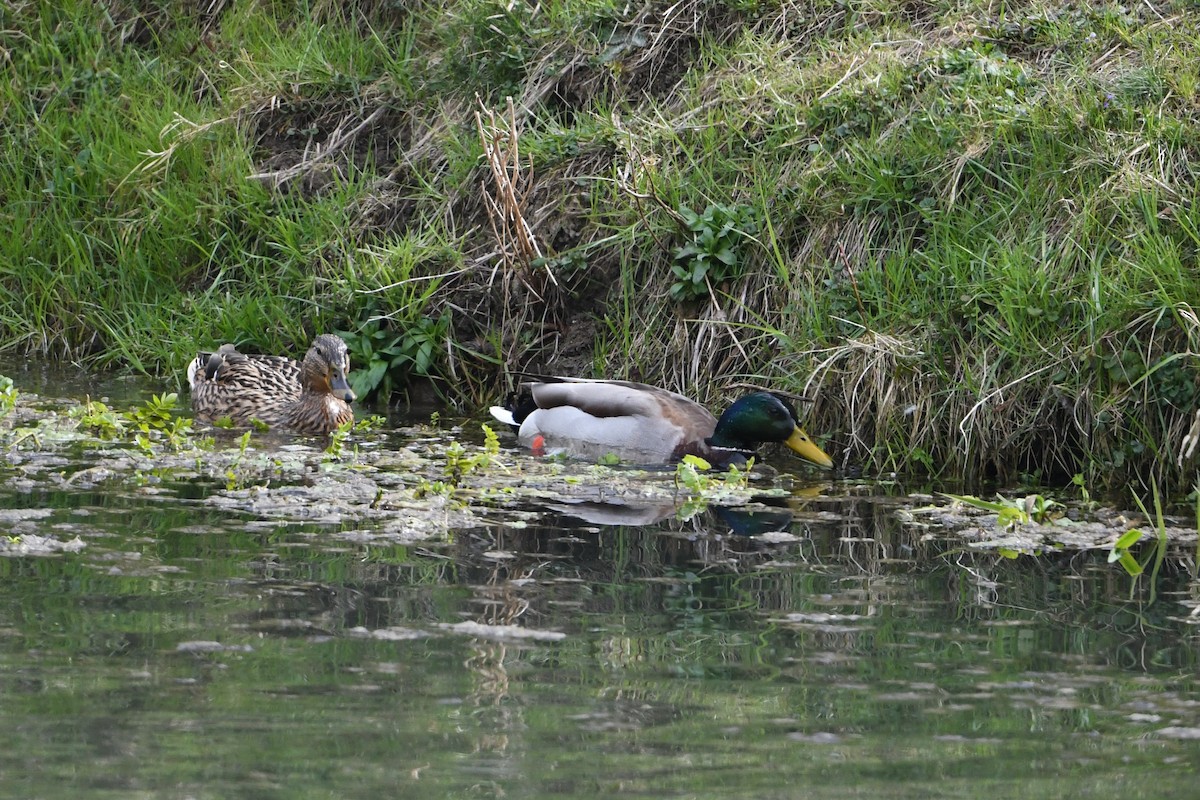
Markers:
{"x": 812, "y": 647}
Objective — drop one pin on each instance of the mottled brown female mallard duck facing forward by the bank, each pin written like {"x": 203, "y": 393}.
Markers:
{"x": 311, "y": 396}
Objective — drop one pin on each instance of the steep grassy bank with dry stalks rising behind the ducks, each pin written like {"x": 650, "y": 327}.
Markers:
{"x": 965, "y": 232}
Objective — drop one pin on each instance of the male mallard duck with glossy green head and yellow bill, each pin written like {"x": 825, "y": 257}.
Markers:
{"x": 651, "y": 426}
